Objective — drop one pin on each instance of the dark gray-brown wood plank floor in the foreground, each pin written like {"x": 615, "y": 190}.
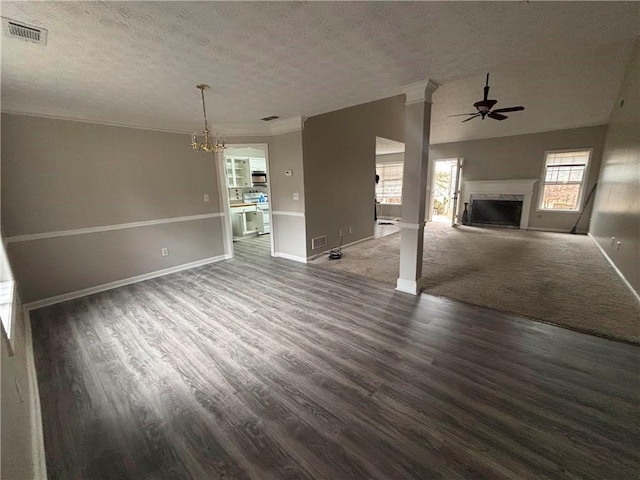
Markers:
{"x": 265, "y": 368}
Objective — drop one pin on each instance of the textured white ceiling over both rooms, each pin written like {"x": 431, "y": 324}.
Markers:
{"x": 137, "y": 63}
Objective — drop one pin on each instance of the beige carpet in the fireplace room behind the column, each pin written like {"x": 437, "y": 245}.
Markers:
{"x": 557, "y": 278}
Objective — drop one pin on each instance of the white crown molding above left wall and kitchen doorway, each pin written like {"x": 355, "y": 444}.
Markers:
{"x": 275, "y": 127}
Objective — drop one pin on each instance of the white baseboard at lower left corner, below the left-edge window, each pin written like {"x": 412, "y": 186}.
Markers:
{"x": 37, "y": 437}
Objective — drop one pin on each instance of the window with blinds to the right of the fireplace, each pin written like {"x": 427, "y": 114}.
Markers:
{"x": 563, "y": 180}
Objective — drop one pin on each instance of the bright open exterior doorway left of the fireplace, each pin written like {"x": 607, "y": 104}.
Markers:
{"x": 444, "y": 188}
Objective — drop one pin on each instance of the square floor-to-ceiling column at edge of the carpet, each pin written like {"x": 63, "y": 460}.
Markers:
{"x": 414, "y": 184}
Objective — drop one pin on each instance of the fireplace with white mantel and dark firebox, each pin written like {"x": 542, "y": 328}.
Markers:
{"x": 499, "y": 202}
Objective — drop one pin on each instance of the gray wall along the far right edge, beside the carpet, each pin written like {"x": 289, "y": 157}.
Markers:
{"x": 616, "y": 211}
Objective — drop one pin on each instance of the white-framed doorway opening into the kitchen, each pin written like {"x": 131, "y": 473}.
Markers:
{"x": 246, "y": 195}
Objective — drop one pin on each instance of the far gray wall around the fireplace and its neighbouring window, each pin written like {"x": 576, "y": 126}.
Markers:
{"x": 522, "y": 156}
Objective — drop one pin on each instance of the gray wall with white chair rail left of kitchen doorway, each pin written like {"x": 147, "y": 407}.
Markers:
{"x": 60, "y": 175}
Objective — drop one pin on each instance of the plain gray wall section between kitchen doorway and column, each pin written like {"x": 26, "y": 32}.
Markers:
{"x": 339, "y": 163}
